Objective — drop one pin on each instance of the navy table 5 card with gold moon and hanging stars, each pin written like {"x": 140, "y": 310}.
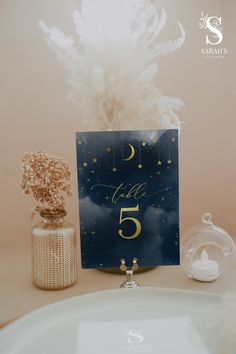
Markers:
{"x": 128, "y": 197}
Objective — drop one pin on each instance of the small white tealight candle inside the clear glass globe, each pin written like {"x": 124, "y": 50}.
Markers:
{"x": 205, "y": 269}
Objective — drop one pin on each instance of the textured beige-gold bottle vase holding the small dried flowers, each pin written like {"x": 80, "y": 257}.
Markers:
{"x": 54, "y": 253}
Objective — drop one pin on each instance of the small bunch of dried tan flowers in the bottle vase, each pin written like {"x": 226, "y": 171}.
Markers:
{"x": 46, "y": 178}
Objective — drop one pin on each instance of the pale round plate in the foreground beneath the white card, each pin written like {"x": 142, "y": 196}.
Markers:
{"x": 54, "y": 328}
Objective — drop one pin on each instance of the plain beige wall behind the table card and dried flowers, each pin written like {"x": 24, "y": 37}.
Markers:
{"x": 35, "y": 113}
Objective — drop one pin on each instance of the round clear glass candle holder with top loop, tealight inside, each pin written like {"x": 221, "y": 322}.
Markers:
{"x": 207, "y": 250}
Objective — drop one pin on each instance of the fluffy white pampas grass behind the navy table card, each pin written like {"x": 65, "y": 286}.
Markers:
{"x": 112, "y": 63}
